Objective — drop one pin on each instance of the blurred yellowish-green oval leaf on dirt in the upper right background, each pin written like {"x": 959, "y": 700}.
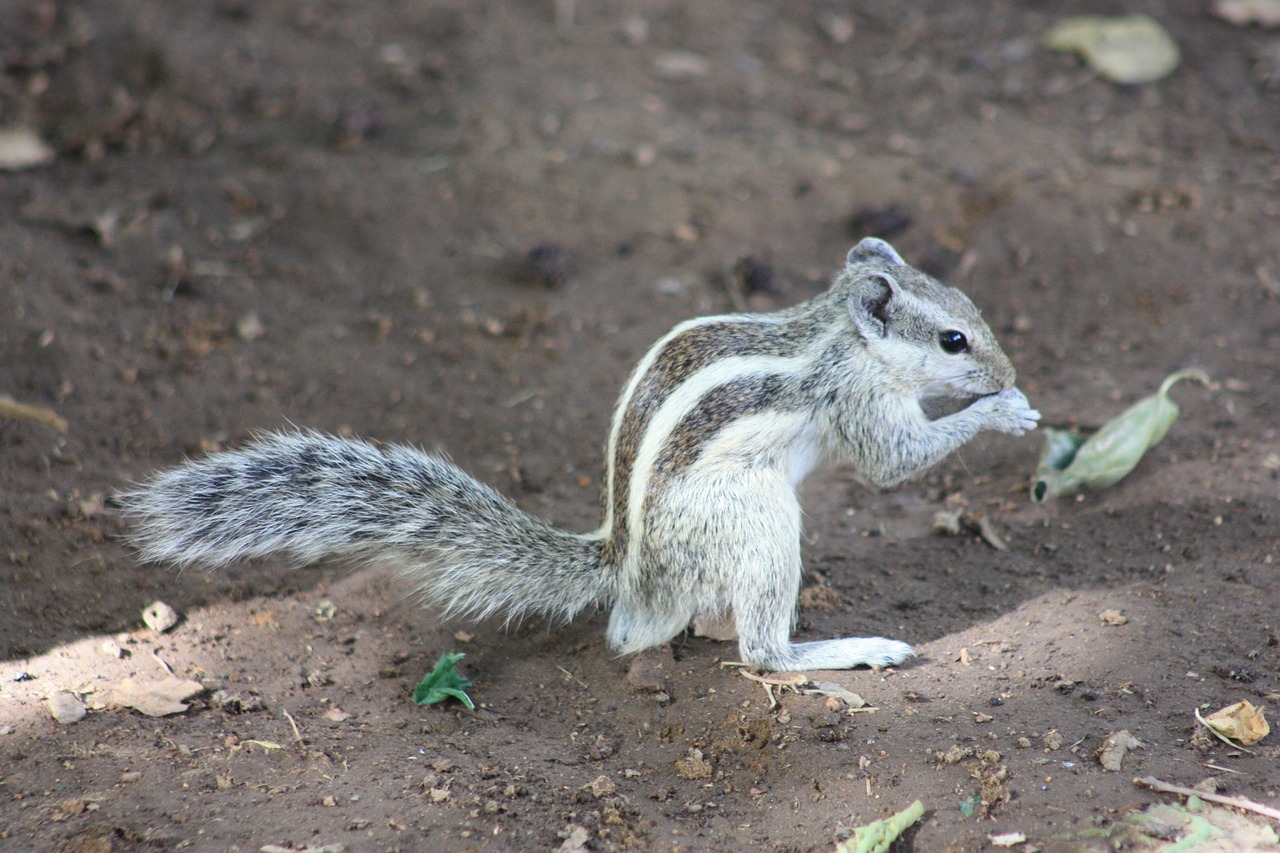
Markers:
{"x": 1127, "y": 49}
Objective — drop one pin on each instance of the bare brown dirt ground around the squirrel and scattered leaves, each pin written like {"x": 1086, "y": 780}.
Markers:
{"x": 459, "y": 223}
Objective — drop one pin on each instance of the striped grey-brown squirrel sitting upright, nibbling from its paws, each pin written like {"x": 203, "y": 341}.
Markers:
{"x": 716, "y": 428}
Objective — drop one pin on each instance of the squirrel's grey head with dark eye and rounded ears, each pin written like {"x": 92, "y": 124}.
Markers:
{"x": 930, "y": 336}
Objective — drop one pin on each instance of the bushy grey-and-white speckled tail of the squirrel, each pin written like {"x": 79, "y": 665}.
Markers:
{"x": 469, "y": 550}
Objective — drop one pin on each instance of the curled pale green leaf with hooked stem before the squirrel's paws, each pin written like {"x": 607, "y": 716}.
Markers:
{"x": 1072, "y": 463}
